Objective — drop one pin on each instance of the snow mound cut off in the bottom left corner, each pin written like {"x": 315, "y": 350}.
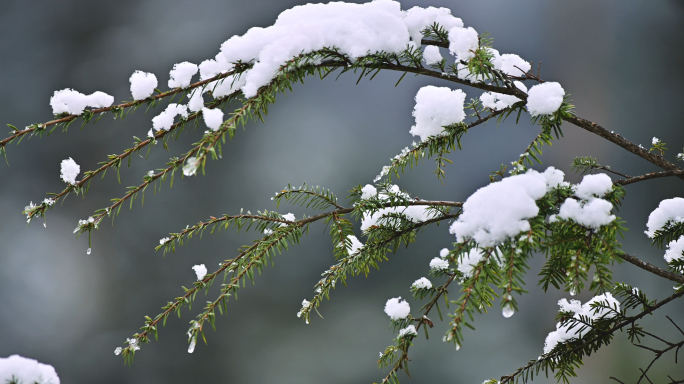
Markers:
{"x": 26, "y": 371}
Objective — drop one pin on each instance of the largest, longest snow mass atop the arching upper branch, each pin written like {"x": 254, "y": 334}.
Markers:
{"x": 355, "y": 29}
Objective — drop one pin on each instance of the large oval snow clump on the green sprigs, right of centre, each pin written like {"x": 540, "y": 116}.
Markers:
{"x": 500, "y": 210}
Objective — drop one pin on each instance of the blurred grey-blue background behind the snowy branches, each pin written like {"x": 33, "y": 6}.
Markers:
{"x": 621, "y": 61}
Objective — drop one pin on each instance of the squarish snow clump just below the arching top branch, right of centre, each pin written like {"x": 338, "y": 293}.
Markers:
{"x": 435, "y": 108}
